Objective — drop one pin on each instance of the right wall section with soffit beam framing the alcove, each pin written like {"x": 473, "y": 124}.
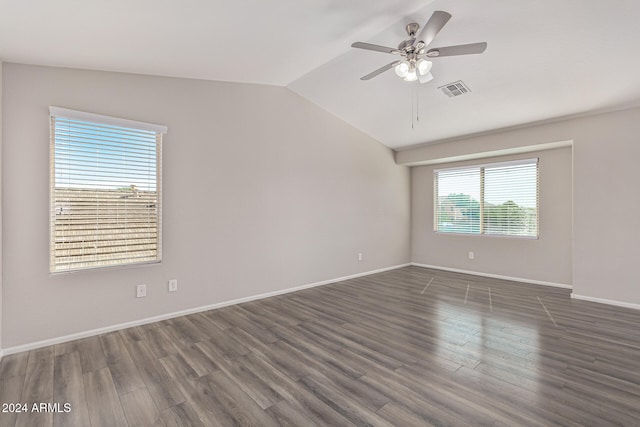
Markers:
{"x": 606, "y": 199}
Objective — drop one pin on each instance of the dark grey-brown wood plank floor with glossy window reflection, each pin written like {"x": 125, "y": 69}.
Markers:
{"x": 407, "y": 347}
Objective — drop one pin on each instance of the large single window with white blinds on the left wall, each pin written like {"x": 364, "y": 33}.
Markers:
{"x": 105, "y": 191}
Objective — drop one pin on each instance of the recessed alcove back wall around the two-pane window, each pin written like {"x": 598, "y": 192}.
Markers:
{"x": 546, "y": 259}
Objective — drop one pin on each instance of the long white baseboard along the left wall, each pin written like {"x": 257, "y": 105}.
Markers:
{"x": 98, "y": 331}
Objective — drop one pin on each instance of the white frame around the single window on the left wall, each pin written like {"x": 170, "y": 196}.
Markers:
{"x": 56, "y": 266}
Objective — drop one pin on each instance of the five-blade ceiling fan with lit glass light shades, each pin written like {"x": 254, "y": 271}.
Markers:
{"x": 415, "y": 64}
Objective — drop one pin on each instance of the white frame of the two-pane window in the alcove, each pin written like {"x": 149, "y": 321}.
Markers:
{"x": 481, "y": 168}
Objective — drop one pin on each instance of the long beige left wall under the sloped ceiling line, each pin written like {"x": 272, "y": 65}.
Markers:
{"x": 263, "y": 191}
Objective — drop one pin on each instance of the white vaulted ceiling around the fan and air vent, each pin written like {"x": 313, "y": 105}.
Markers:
{"x": 545, "y": 58}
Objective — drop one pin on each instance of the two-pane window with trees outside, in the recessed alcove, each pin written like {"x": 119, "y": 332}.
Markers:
{"x": 496, "y": 199}
